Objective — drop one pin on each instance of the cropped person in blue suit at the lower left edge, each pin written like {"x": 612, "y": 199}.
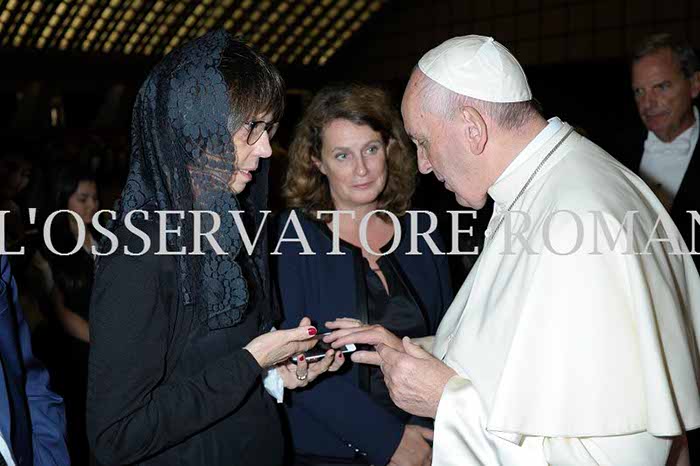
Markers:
{"x": 32, "y": 420}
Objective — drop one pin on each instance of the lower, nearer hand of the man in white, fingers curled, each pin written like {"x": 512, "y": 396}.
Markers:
{"x": 414, "y": 377}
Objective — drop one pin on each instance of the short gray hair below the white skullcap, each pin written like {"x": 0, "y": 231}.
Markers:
{"x": 442, "y": 101}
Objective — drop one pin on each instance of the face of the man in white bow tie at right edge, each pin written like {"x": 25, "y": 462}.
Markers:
{"x": 664, "y": 94}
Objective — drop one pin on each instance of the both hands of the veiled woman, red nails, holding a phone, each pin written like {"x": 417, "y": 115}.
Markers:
{"x": 275, "y": 349}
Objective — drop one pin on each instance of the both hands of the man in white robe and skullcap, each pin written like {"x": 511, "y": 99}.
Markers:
{"x": 414, "y": 377}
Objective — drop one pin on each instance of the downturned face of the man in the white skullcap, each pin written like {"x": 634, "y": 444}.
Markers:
{"x": 442, "y": 150}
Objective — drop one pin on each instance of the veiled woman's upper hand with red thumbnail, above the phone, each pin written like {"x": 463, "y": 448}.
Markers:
{"x": 276, "y": 347}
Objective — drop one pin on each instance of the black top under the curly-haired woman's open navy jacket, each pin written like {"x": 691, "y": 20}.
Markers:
{"x": 398, "y": 312}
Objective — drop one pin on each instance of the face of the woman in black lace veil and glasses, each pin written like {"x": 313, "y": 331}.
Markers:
{"x": 248, "y": 156}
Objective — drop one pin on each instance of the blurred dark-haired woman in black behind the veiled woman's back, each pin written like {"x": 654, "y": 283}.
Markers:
{"x": 66, "y": 351}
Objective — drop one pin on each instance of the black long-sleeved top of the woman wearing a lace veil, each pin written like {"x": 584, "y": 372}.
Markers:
{"x": 165, "y": 389}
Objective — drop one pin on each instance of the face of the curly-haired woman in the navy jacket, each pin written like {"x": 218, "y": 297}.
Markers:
{"x": 353, "y": 158}
